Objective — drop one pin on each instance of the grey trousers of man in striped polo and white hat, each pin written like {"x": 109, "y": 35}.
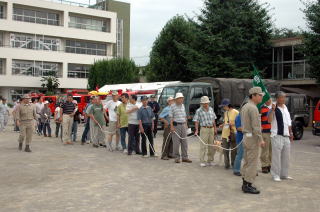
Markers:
{"x": 182, "y": 132}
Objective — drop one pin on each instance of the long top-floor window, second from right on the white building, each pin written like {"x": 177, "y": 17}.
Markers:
{"x": 33, "y": 16}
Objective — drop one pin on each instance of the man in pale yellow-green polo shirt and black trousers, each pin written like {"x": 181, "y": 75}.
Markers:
{"x": 133, "y": 126}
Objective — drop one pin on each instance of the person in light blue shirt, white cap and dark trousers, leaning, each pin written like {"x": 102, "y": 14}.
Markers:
{"x": 167, "y": 146}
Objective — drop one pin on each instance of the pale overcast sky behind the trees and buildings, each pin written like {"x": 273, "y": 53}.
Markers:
{"x": 149, "y": 16}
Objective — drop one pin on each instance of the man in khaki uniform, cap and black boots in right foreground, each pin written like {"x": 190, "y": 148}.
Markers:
{"x": 251, "y": 128}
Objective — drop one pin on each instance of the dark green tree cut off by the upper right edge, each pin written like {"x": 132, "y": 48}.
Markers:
{"x": 312, "y": 38}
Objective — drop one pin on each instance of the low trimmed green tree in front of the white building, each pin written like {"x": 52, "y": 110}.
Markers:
{"x": 114, "y": 71}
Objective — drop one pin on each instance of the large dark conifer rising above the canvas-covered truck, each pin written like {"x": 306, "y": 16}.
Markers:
{"x": 231, "y": 36}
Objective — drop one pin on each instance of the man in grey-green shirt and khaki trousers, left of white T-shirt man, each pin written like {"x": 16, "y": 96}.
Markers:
{"x": 97, "y": 115}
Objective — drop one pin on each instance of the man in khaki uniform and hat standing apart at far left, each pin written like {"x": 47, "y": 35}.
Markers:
{"x": 25, "y": 114}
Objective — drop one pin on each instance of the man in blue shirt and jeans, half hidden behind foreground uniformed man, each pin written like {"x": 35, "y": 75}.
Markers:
{"x": 239, "y": 137}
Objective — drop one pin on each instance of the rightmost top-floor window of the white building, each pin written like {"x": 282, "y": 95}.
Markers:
{"x": 89, "y": 24}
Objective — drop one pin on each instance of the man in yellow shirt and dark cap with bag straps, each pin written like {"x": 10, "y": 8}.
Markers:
{"x": 229, "y": 132}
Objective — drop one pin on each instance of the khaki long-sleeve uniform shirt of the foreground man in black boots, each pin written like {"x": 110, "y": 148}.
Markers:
{"x": 251, "y": 121}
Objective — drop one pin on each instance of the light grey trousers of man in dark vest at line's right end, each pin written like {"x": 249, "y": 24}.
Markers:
{"x": 280, "y": 156}
